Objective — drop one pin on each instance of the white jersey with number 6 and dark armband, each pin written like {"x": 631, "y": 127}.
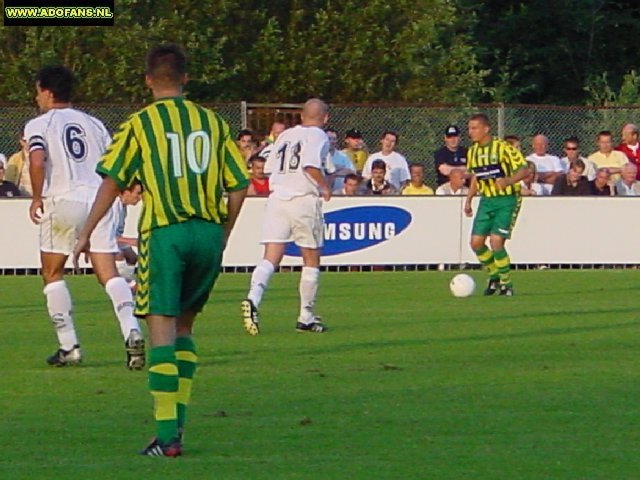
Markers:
{"x": 73, "y": 142}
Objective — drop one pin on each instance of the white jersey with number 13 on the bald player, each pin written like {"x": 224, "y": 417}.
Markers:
{"x": 295, "y": 149}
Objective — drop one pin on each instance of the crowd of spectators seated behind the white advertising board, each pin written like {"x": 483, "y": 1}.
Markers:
{"x": 352, "y": 170}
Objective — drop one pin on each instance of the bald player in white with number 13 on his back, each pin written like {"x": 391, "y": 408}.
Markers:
{"x": 294, "y": 212}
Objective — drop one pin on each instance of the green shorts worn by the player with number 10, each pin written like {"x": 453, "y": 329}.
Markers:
{"x": 177, "y": 267}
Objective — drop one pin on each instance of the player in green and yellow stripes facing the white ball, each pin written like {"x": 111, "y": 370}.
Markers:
{"x": 497, "y": 169}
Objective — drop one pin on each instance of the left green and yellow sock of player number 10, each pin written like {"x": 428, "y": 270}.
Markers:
{"x": 163, "y": 384}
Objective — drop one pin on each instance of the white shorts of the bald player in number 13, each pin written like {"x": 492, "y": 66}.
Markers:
{"x": 299, "y": 219}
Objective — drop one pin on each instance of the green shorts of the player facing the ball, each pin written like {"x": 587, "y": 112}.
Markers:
{"x": 496, "y": 216}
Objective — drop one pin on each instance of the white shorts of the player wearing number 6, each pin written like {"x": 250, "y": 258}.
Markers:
{"x": 62, "y": 221}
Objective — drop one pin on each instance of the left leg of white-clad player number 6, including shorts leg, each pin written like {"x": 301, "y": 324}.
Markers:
{"x": 57, "y": 238}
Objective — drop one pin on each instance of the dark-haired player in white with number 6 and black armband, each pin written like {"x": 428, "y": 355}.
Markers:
{"x": 64, "y": 148}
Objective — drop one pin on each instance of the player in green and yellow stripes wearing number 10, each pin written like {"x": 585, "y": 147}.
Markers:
{"x": 185, "y": 158}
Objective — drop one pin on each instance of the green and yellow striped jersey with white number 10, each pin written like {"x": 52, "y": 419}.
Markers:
{"x": 184, "y": 157}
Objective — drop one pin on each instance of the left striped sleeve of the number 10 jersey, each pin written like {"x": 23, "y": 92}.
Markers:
{"x": 122, "y": 160}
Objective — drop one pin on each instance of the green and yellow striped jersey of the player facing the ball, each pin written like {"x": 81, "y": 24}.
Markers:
{"x": 496, "y": 159}
